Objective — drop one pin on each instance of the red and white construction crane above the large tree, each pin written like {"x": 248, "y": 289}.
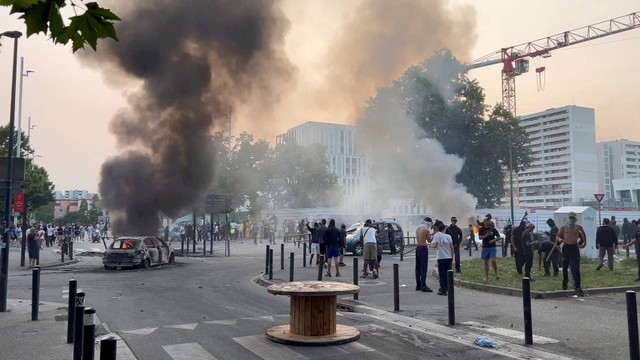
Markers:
{"x": 515, "y": 59}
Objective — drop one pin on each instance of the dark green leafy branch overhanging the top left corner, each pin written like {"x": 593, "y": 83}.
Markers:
{"x": 87, "y": 26}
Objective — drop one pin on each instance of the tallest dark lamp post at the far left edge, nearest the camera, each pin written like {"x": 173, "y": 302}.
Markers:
{"x": 4, "y": 270}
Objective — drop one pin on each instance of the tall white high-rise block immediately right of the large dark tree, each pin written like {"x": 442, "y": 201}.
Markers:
{"x": 564, "y": 169}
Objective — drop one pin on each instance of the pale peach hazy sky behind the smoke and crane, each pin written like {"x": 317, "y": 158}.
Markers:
{"x": 73, "y": 105}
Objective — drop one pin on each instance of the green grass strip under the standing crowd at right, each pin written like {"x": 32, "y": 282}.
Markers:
{"x": 624, "y": 273}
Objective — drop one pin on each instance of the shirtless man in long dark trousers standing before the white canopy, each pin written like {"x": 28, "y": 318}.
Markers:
{"x": 573, "y": 238}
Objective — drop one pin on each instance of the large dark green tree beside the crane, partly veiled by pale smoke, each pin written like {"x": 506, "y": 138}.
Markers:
{"x": 451, "y": 108}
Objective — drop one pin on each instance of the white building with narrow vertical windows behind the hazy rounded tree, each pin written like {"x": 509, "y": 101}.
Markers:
{"x": 345, "y": 162}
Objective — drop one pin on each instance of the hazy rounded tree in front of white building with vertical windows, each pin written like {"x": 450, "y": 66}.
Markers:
{"x": 301, "y": 178}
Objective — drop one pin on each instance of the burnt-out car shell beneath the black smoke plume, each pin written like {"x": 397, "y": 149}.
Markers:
{"x": 138, "y": 251}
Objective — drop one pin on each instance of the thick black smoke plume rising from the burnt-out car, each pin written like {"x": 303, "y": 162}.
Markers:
{"x": 194, "y": 60}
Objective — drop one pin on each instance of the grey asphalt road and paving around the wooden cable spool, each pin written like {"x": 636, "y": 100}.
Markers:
{"x": 211, "y": 309}
